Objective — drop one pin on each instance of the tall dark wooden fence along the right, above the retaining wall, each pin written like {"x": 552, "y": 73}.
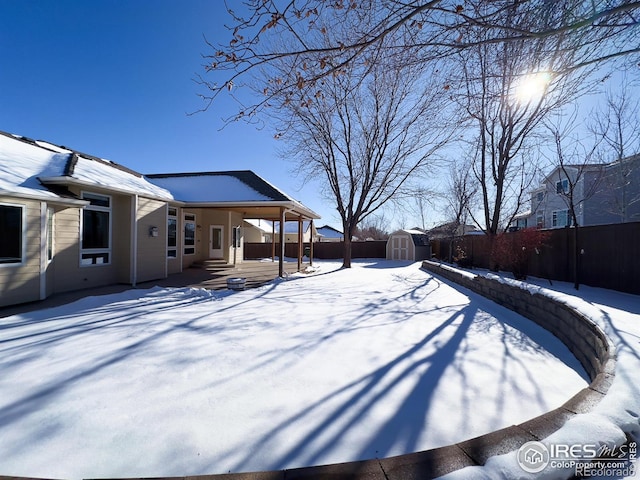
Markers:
{"x": 609, "y": 255}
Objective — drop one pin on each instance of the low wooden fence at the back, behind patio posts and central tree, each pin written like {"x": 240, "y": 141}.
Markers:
{"x": 321, "y": 250}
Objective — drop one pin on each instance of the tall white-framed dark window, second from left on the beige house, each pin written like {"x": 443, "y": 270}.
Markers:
{"x": 95, "y": 244}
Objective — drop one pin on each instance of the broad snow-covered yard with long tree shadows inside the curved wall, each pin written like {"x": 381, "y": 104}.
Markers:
{"x": 377, "y": 360}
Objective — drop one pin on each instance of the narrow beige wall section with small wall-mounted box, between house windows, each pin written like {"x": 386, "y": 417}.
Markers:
{"x": 152, "y": 251}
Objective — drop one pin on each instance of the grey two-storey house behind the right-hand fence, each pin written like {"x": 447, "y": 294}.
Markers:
{"x": 603, "y": 193}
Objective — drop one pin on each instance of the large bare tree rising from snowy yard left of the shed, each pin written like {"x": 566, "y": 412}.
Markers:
{"x": 369, "y": 133}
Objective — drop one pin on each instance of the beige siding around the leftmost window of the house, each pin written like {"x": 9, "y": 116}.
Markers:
{"x": 21, "y": 283}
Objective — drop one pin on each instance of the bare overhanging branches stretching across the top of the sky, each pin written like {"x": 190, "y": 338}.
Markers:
{"x": 427, "y": 29}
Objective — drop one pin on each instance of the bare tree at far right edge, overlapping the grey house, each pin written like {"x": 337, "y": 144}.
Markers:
{"x": 618, "y": 123}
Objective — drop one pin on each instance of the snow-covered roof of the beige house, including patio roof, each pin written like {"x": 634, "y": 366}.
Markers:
{"x": 38, "y": 169}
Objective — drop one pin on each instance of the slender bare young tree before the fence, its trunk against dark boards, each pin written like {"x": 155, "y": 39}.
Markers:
{"x": 579, "y": 176}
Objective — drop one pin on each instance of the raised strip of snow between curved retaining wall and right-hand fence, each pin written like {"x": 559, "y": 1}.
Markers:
{"x": 618, "y": 314}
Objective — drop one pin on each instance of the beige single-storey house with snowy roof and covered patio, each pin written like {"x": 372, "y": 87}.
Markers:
{"x": 69, "y": 220}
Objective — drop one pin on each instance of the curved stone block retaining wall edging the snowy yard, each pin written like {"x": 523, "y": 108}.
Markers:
{"x": 584, "y": 339}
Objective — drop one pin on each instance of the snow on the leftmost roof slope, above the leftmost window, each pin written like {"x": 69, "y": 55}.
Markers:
{"x": 22, "y": 163}
